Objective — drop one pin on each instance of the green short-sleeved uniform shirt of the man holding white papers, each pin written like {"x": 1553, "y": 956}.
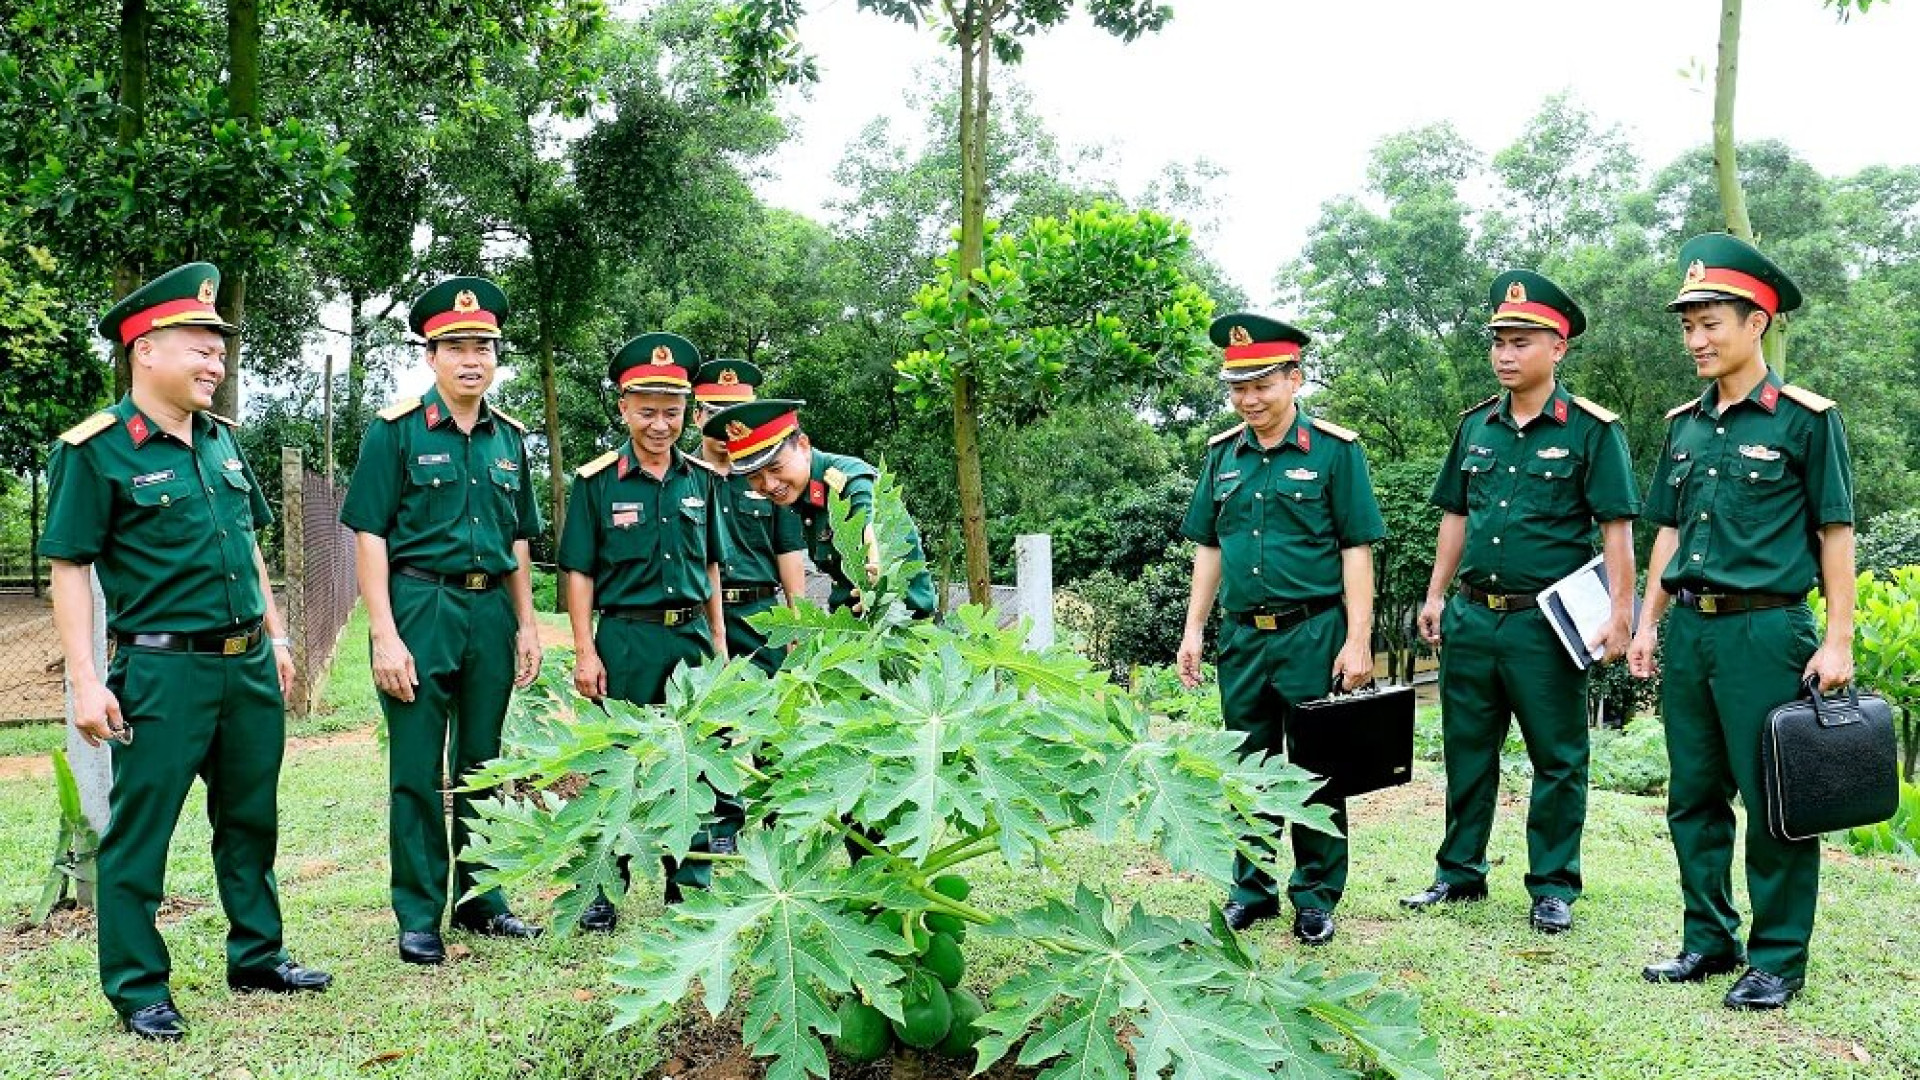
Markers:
{"x": 1531, "y": 495}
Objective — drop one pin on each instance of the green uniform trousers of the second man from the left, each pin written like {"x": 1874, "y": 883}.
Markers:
{"x": 464, "y": 654}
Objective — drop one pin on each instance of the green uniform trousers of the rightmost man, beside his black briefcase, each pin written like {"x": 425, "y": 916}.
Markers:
{"x": 1723, "y": 675}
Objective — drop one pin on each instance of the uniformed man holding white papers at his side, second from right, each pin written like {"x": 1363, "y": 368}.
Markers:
{"x": 1531, "y": 474}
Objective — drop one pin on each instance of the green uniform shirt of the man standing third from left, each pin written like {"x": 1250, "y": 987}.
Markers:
{"x": 644, "y": 541}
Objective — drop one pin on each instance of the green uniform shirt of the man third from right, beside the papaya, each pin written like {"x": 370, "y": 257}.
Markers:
{"x": 1282, "y": 516}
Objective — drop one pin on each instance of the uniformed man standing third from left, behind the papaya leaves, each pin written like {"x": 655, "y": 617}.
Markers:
{"x": 642, "y": 547}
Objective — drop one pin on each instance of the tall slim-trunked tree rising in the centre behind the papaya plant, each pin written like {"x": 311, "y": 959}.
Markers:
{"x": 982, "y": 32}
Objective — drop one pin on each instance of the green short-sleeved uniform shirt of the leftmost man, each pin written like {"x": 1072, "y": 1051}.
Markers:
{"x": 170, "y": 526}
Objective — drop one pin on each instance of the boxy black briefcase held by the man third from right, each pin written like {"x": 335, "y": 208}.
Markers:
{"x": 1362, "y": 741}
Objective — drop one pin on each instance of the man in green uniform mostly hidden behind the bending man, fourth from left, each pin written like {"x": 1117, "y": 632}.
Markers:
{"x": 763, "y": 545}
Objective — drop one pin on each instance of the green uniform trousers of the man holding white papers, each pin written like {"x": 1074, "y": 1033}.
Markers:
{"x": 1497, "y": 666}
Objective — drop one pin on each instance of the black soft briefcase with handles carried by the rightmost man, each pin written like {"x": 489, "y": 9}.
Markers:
{"x": 1829, "y": 764}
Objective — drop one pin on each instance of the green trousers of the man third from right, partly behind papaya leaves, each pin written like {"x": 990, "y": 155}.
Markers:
{"x": 1262, "y": 677}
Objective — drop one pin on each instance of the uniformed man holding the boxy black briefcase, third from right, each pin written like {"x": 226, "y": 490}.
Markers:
{"x": 1285, "y": 520}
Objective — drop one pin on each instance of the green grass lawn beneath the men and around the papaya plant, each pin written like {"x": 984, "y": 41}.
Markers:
{"x": 1502, "y": 1000}
